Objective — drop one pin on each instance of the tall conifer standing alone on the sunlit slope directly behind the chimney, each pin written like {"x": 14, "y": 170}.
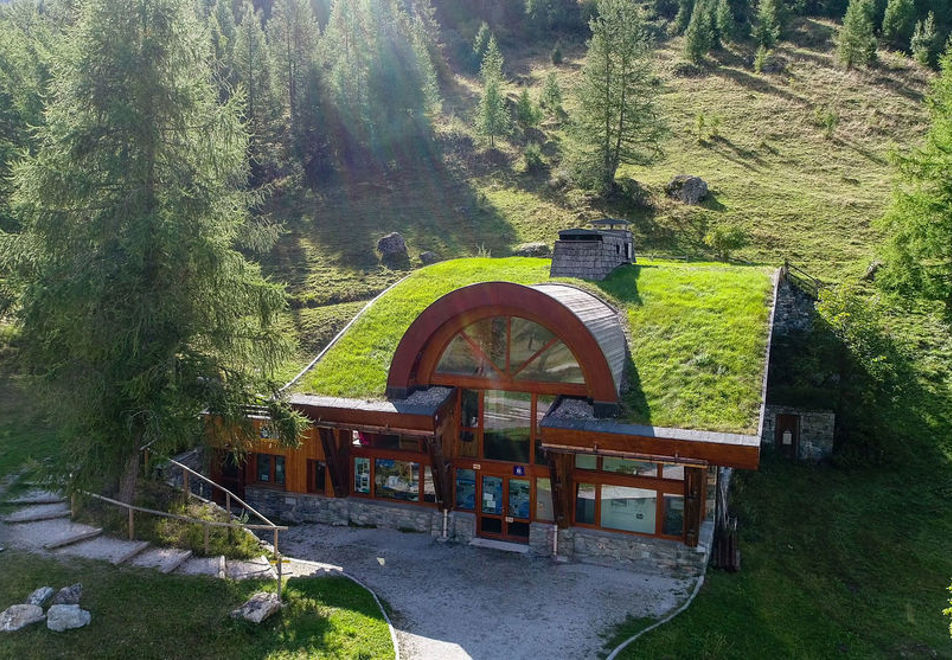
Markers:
{"x": 618, "y": 119}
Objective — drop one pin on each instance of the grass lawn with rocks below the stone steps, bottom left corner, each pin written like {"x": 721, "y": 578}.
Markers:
{"x": 142, "y": 614}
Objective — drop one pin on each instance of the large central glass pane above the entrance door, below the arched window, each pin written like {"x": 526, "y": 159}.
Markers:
{"x": 507, "y": 422}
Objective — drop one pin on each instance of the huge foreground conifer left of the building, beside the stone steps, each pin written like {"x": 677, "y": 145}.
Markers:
{"x": 138, "y": 311}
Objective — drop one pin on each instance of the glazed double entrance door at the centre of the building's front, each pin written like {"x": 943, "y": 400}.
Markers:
{"x": 504, "y": 506}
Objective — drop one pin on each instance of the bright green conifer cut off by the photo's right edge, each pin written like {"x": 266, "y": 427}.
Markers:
{"x": 919, "y": 222}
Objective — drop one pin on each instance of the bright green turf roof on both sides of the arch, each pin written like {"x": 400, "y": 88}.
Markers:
{"x": 697, "y": 336}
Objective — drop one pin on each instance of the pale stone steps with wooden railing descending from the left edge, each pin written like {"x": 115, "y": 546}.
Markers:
{"x": 42, "y": 524}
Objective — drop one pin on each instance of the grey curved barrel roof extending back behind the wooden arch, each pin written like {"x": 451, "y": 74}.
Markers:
{"x": 601, "y": 319}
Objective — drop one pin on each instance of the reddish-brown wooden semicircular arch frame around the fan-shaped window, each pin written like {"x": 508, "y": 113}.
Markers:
{"x": 418, "y": 352}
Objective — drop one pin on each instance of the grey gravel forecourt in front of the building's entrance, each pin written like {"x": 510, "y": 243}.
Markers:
{"x": 453, "y": 601}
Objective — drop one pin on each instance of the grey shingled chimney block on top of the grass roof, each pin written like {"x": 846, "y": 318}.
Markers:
{"x": 591, "y": 254}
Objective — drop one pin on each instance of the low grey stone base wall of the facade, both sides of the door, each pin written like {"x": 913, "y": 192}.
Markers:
{"x": 575, "y": 544}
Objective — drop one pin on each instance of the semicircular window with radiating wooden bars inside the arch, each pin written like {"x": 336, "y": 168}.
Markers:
{"x": 509, "y": 348}
